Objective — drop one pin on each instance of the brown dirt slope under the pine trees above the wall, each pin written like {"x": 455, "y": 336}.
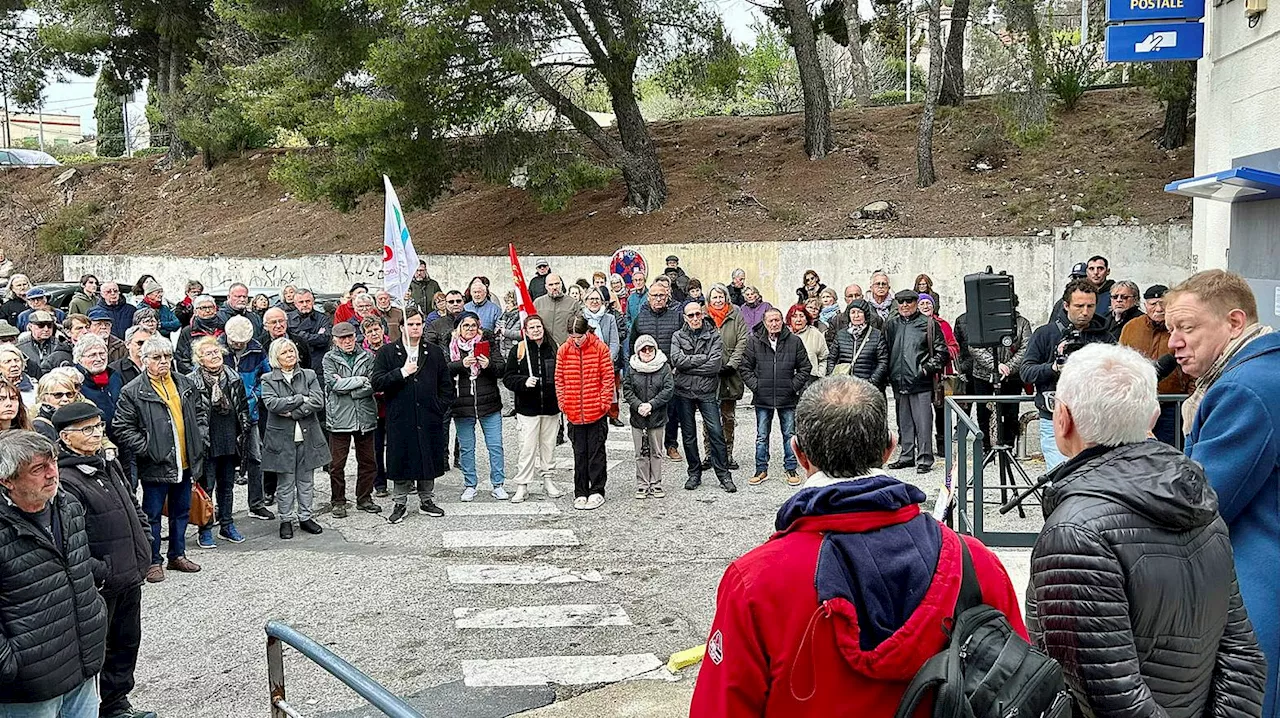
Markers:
{"x": 730, "y": 179}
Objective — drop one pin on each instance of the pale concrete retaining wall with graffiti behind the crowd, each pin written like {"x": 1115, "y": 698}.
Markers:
{"x": 1144, "y": 254}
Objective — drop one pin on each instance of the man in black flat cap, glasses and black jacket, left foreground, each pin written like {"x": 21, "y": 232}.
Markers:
{"x": 117, "y": 539}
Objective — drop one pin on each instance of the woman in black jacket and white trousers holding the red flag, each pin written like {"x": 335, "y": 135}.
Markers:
{"x": 532, "y": 377}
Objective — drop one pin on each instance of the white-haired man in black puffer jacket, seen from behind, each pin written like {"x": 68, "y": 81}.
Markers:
{"x": 1133, "y": 584}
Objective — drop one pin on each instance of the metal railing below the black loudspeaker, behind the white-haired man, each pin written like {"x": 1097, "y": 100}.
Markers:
{"x": 967, "y": 461}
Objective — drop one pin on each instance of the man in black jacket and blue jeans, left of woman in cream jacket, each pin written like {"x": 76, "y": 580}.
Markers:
{"x": 776, "y": 368}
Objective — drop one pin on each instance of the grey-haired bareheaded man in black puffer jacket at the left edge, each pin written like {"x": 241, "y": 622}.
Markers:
{"x": 53, "y": 621}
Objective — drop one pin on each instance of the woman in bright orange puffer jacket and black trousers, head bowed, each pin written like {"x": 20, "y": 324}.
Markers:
{"x": 584, "y": 387}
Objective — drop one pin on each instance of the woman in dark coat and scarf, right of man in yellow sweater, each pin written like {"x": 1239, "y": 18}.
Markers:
{"x": 228, "y": 431}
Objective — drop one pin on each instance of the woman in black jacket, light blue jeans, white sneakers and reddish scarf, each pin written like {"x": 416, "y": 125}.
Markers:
{"x": 476, "y": 368}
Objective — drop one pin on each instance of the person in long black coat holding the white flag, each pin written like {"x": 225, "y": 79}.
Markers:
{"x": 418, "y": 395}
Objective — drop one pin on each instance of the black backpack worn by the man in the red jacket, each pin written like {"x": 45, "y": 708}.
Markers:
{"x": 988, "y": 670}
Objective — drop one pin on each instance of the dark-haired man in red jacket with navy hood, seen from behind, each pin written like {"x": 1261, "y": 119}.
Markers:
{"x": 840, "y": 609}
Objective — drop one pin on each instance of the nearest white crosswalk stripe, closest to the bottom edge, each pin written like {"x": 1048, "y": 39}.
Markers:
{"x": 561, "y": 670}
